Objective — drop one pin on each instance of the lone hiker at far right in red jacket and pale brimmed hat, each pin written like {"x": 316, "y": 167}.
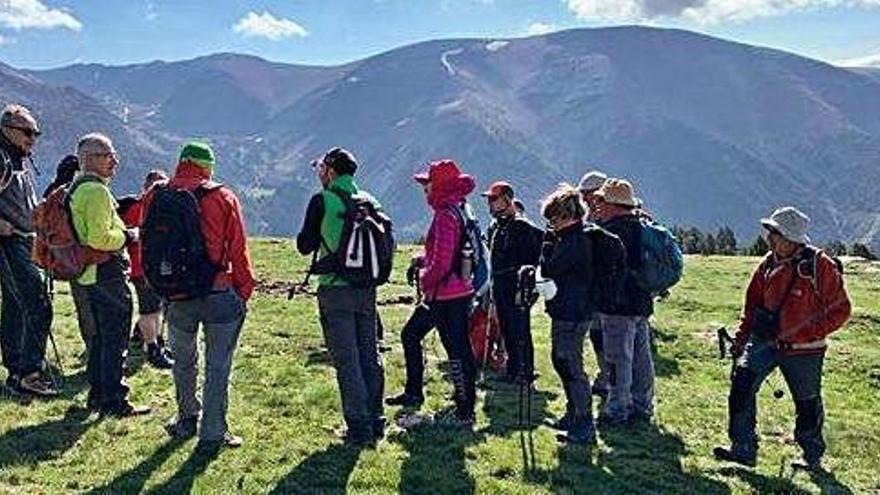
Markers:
{"x": 796, "y": 298}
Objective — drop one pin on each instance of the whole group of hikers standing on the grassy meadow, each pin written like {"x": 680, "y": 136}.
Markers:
{"x": 599, "y": 264}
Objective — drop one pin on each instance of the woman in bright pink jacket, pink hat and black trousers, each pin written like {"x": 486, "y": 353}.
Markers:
{"x": 446, "y": 283}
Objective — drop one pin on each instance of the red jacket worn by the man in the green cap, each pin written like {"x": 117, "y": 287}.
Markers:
{"x": 222, "y": 227}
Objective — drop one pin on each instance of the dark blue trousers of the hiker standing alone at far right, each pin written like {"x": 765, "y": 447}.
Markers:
{"x": 803, "y": 375}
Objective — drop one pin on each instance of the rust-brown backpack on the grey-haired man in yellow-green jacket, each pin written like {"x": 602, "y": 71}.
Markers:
{"x": 57, "y": 248}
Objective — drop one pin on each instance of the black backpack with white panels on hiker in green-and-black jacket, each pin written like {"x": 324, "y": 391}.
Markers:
{"x": 366, "y": 247}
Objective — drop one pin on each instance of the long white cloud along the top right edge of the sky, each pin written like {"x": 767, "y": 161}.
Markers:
{"x": 702, "y": 11}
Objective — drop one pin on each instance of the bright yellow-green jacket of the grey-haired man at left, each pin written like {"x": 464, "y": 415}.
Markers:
{"x": 93, "y": 210}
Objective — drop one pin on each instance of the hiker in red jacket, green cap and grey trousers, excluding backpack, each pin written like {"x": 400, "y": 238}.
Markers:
{"x": 221, "y": 312}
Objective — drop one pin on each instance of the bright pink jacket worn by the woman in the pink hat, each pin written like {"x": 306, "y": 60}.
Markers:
{"x": 438, "y": 278}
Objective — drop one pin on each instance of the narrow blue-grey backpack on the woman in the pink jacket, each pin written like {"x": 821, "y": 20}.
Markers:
{"x": 472, "y": 261}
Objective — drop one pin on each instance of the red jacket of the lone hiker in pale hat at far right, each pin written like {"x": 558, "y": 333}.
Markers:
{"x": 817, "y": 305}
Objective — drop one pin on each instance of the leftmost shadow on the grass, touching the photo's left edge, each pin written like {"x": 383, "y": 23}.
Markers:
{"x": 45, "y": 441}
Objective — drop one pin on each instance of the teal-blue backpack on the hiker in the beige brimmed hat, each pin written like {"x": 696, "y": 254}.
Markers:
{"x": 662, "y": 260}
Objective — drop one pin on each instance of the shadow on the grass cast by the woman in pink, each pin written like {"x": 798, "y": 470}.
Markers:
{"x": 436, "y": 461}
